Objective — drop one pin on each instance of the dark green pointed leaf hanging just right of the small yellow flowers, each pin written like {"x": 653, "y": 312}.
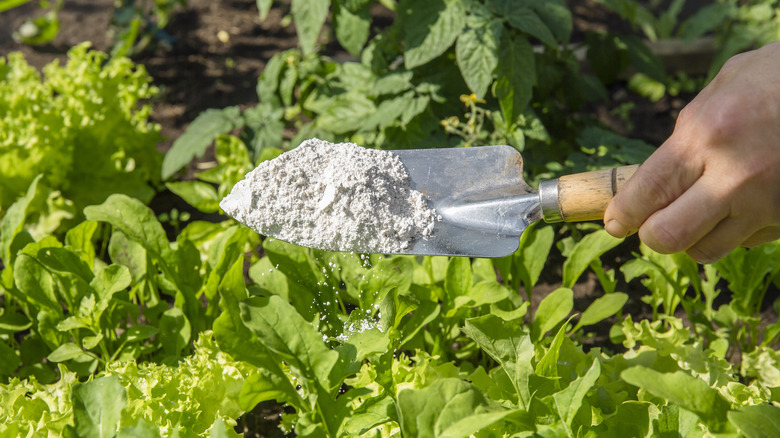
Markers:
{"x": 516, "y": 73}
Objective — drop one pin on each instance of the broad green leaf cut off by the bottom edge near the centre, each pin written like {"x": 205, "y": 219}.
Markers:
{"x": 448, "y": 408}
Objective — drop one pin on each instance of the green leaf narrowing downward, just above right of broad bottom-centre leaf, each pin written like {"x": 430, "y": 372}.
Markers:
{"x": 507, "y": 344}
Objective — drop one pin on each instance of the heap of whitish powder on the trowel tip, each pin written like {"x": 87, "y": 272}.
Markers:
{"x": 339, "y": 197}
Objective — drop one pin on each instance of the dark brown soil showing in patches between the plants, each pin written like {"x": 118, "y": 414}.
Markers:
{"x": 203, "y": 69}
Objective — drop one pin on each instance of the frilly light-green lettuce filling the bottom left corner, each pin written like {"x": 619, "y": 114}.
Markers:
{"x": 198, "y": 398}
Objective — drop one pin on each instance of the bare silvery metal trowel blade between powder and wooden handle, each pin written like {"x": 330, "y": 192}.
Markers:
{"x": 480, "y": 194}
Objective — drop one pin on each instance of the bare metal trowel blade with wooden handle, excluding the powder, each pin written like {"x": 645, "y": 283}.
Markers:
{"x": 485, "y": 204}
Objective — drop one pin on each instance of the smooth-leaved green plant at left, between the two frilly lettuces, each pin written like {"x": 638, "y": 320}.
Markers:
{"x": 64, "y": 304}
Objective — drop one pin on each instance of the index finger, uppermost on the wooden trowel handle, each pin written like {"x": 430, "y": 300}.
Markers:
{"x": 659, "y": 180}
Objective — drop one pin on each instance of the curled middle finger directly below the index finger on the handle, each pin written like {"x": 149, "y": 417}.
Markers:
{"x": 692, "y": 216}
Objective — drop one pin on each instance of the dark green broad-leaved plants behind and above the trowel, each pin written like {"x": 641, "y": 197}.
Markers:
{"x": 399, "y": 93}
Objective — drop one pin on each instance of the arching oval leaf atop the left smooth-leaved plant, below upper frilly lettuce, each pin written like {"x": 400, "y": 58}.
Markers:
{"x": 132, "y": 218}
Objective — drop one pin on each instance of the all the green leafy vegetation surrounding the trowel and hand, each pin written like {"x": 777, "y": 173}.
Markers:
{"x": 109, "y": 327}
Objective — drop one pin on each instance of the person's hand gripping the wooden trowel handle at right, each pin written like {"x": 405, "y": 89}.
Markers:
{"x": 715, "y": 183}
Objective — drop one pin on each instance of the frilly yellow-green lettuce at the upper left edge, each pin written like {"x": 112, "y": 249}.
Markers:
{"x": 84, "y": 126}
